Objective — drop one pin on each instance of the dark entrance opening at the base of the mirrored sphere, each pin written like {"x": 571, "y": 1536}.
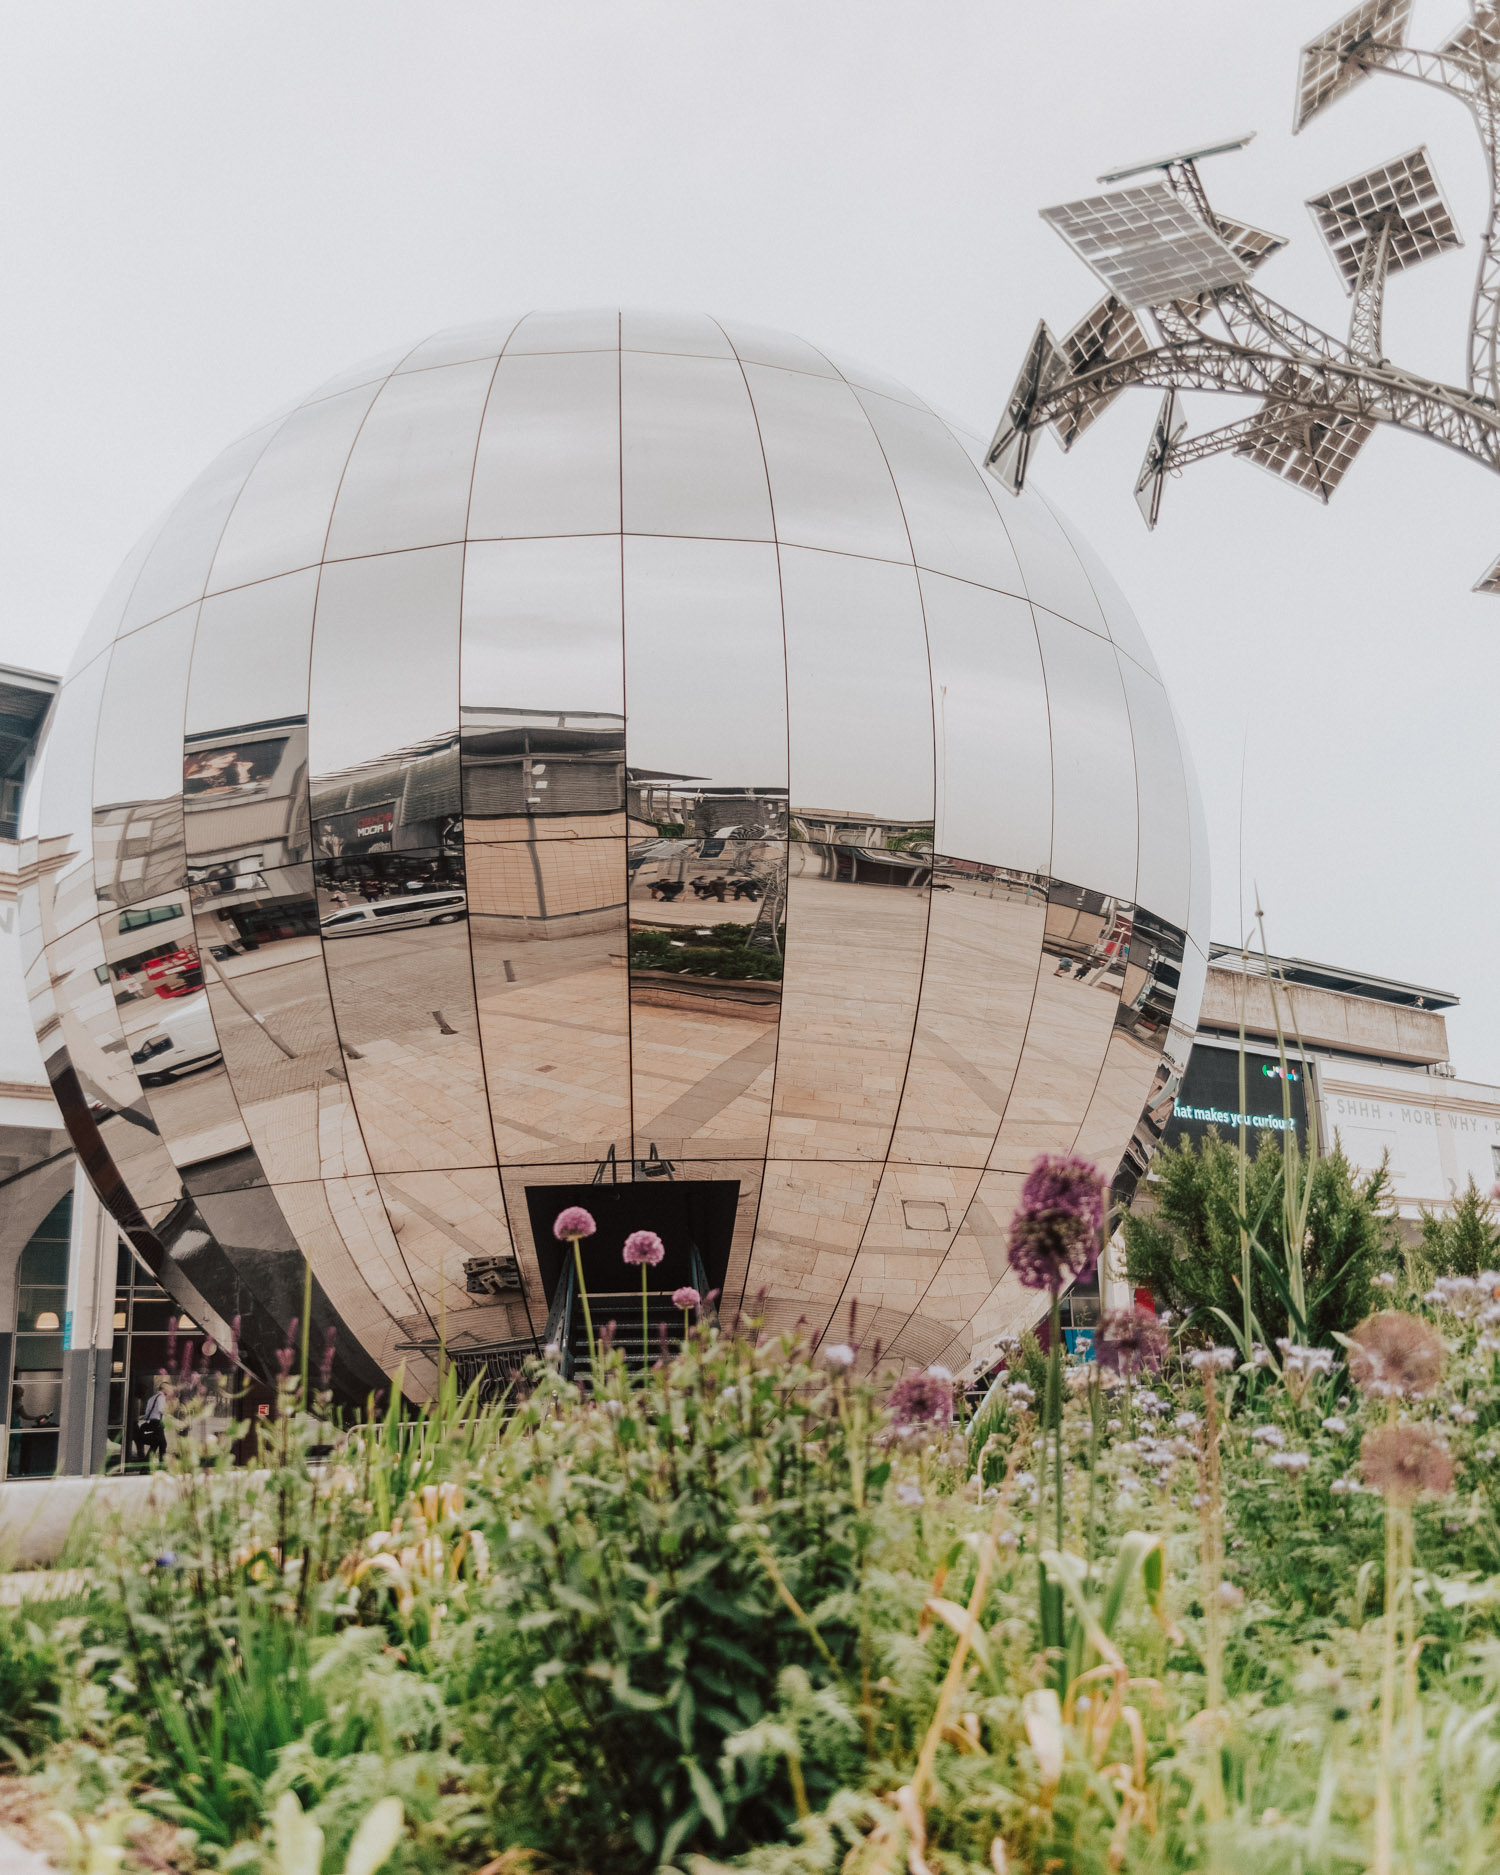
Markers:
{"x": 697, "y": 1225}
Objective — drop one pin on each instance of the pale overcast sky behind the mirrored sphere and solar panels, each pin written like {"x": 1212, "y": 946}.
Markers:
{"x": 213, "y": 207}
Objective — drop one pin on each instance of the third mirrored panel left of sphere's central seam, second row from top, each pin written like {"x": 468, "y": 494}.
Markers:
{"x": 282, "y": 517}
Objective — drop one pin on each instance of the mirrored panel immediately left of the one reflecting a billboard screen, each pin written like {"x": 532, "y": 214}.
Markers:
{"x": 138, "y": 783}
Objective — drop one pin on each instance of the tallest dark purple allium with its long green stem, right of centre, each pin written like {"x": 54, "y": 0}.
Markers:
{"x": 1055, "y": 1242}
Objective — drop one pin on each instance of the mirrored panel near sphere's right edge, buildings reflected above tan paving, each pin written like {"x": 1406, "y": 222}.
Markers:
{"x": 1073, "y": 1017}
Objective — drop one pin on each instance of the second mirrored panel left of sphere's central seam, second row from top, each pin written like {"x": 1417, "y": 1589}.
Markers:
{"x": 410, "y": 472}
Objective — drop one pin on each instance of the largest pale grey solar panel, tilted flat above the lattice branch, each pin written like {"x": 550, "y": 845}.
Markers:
{"x": 1147, "y": 245}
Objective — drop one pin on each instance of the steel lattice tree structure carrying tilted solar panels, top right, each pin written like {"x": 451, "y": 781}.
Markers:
{"x": 1319, "y": 397}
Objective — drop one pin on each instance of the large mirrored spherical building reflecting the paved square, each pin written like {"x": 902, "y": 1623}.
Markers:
{"x": 607, "y": 758}
